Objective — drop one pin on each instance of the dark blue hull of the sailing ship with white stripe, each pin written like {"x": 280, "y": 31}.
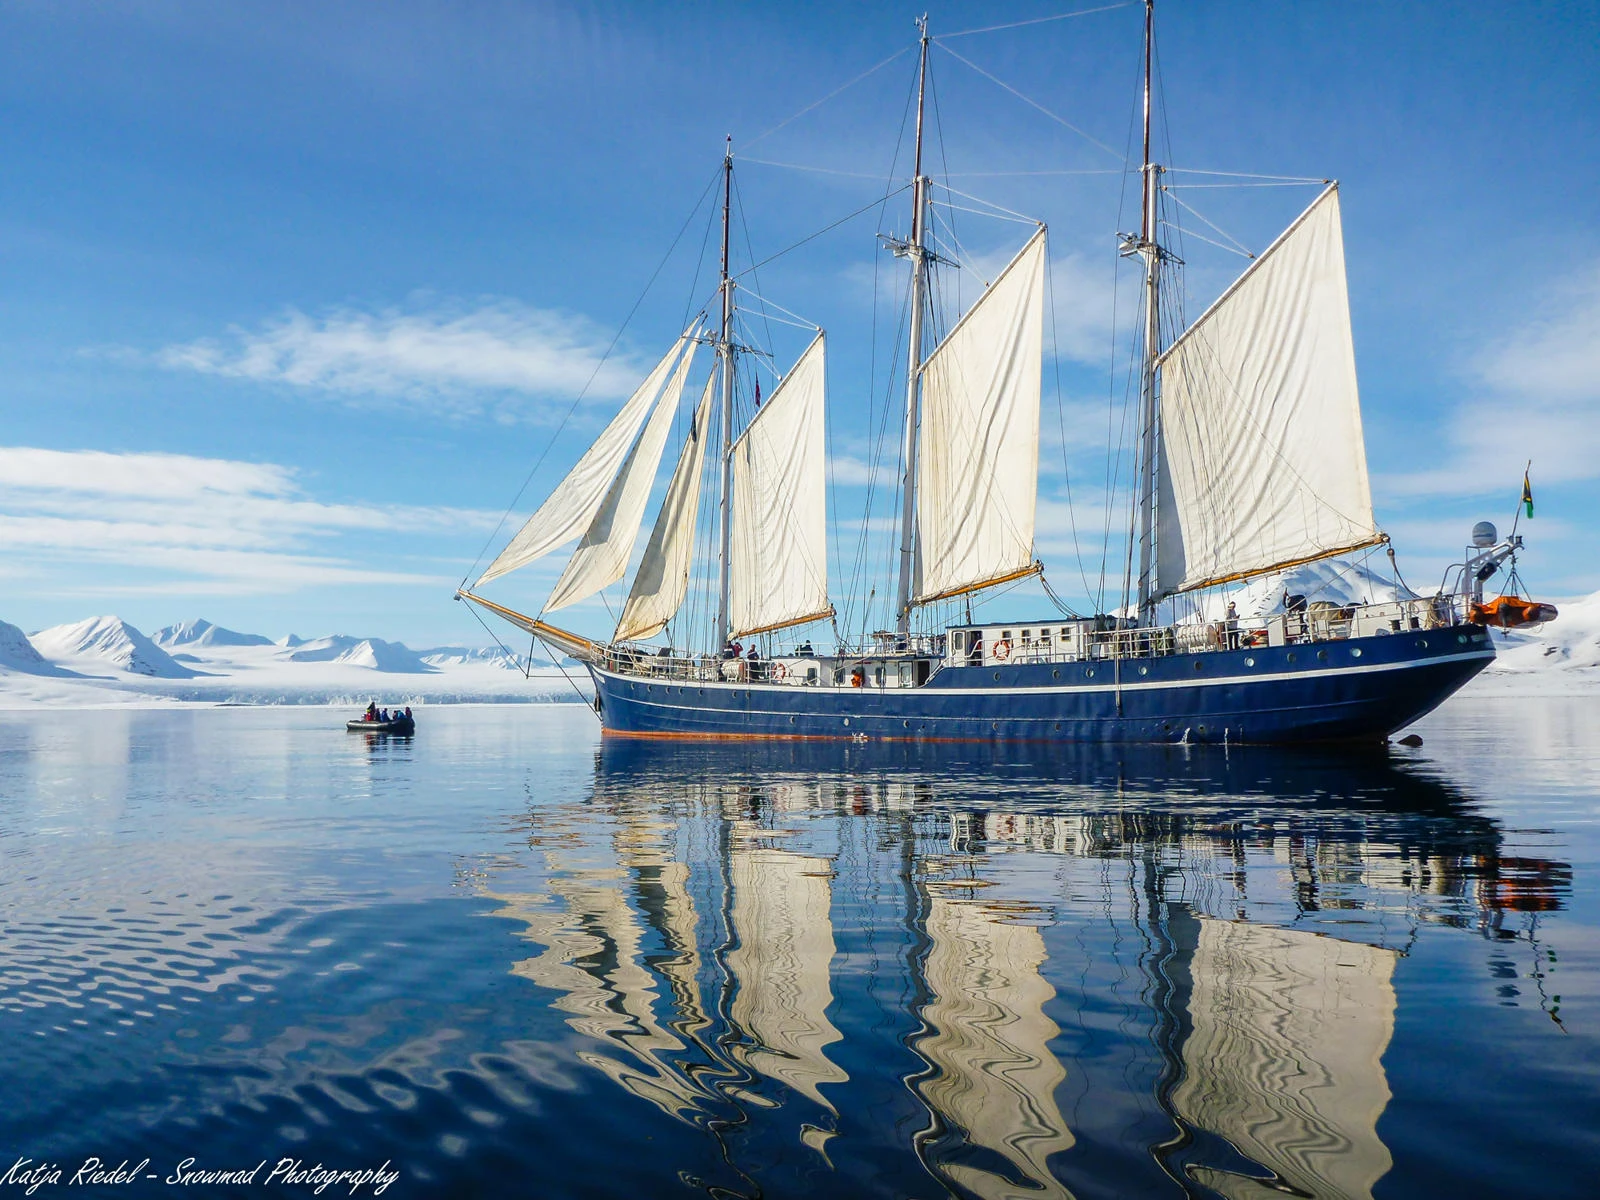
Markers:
{"x": 1346, "y": 690}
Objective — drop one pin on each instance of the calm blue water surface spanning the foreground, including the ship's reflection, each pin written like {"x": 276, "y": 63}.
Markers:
{"x": 506, "y": 959}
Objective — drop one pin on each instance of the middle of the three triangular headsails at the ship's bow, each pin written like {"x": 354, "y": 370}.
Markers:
{"x": 602, "y": 556}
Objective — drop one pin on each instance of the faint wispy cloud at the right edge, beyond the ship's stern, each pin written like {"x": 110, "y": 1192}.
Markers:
{"x": 1534, "y": 394}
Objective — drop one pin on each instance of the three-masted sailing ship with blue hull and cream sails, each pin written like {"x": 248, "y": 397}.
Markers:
{"x": 1250, "y": 463}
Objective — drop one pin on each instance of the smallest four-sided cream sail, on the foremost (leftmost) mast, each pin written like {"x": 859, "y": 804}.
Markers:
{"x": 780, "y": 506}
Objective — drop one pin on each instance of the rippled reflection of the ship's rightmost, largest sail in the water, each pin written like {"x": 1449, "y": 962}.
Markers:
{"x": 1286, "y": 1060}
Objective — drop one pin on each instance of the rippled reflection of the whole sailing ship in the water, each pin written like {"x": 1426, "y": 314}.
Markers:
{"x": 1257, "y": 908}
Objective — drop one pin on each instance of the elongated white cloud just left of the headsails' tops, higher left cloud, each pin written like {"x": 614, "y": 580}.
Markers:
{"x": 420, "y": 356}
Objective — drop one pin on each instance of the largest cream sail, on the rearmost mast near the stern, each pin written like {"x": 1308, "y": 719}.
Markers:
{"x": 1263, "y": 463}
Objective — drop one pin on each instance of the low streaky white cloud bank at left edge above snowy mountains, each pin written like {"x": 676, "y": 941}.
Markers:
{"x": 194, "y": 524}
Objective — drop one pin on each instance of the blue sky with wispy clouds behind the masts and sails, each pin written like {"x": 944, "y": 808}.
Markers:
{"x": 294, "y": 297}
